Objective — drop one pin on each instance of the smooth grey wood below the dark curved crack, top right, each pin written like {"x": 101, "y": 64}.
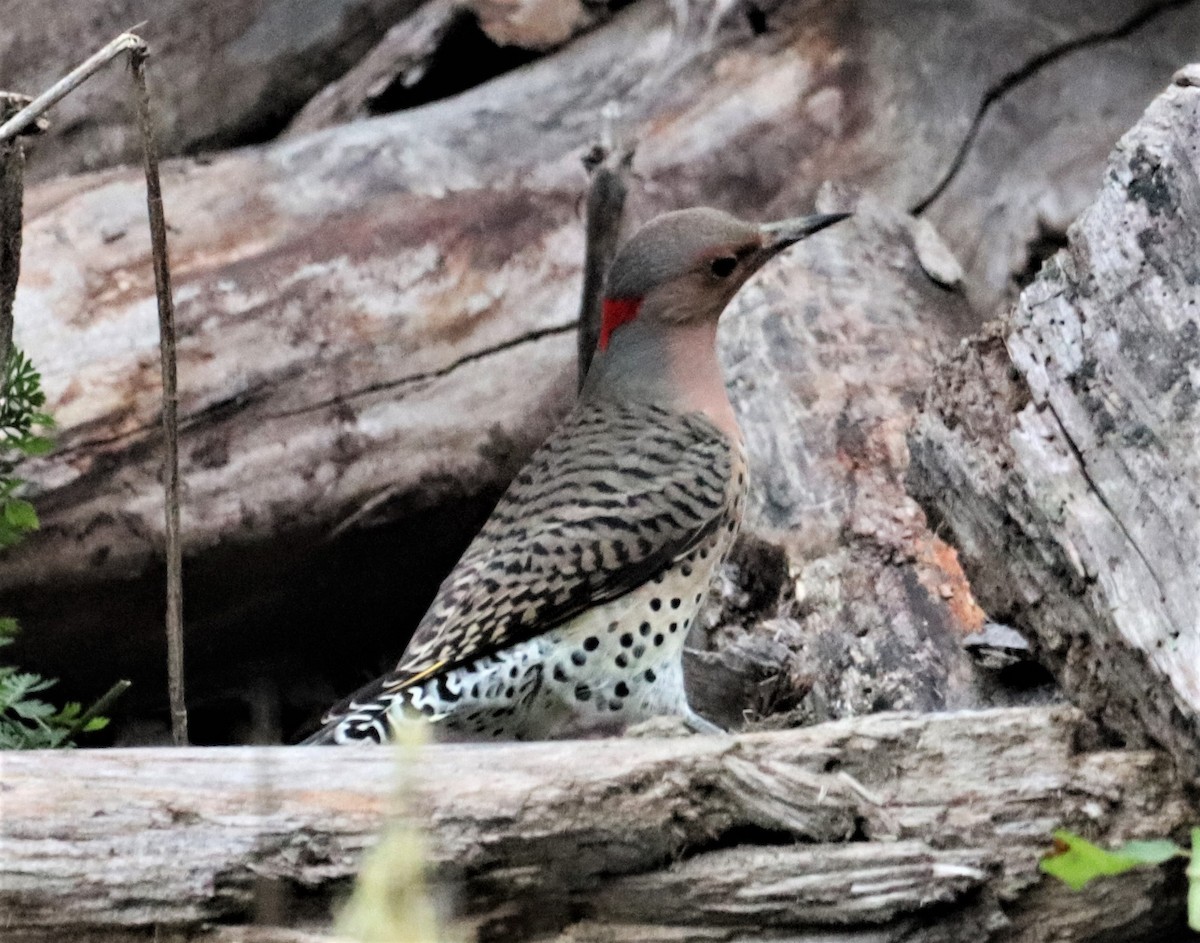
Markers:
{"x": 1035, "y": 157}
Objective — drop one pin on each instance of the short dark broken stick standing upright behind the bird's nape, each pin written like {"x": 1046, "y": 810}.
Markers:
{"x": 609, "y": 164}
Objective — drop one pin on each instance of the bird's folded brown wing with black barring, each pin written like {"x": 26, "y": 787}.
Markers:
{"x": 611, "y": 500}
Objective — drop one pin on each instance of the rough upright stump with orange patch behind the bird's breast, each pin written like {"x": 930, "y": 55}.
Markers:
{"x": 841, "y": 602}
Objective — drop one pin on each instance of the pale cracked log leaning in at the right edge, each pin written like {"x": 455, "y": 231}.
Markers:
{"x": 1063, "y": 451}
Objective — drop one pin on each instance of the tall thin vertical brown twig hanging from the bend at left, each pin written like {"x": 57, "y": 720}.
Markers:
{"x": 170, "y": 404}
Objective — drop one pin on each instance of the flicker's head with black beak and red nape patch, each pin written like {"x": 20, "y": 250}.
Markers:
{"x": 683, "y": 268}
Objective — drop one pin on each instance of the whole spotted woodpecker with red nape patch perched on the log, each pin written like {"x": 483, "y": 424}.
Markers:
{"x": 567, "y": 616}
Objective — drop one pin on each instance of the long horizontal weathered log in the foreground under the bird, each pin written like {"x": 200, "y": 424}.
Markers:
{"x": 884, "y": 828}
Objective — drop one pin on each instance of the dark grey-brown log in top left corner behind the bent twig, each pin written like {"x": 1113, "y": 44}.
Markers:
{"x": 225, "y": 71}
